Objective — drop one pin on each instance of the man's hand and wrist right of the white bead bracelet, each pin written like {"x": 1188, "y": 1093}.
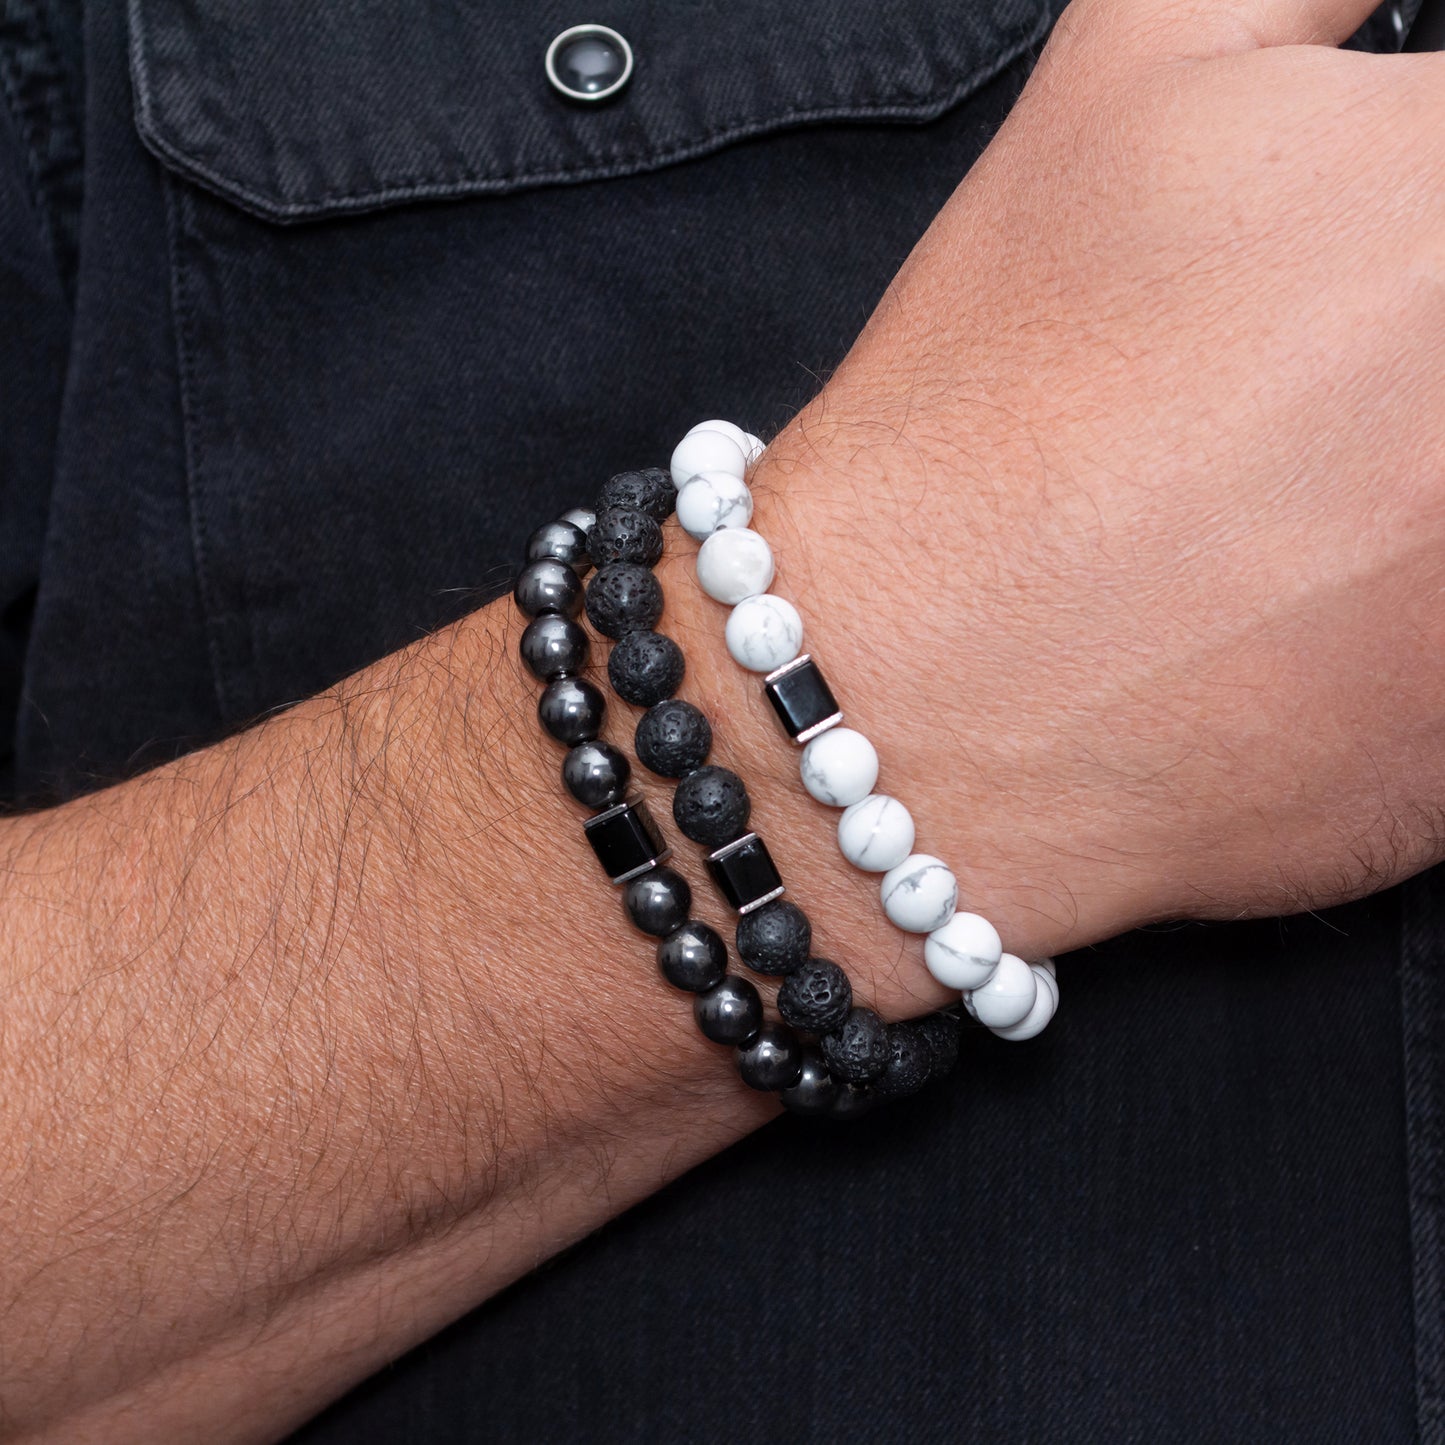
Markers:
{"x": 1122, "y": 531}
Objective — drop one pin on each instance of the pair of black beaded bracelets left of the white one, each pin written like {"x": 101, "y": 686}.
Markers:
{"x": 858, "y": 1060}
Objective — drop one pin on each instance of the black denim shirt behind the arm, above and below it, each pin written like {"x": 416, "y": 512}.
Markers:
{"x": 241, "y": 459}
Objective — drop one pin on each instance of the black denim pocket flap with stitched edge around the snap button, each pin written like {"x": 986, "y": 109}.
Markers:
{"x": 298, "y": 111}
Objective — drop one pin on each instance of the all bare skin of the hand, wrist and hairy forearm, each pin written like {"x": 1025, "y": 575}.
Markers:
{"x": 1119, "y": 531}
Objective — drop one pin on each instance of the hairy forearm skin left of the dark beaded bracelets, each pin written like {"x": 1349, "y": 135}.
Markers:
{"x": 310, "y": 1043}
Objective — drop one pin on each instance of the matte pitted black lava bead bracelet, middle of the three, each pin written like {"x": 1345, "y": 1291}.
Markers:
{"x": 712, "y": 807}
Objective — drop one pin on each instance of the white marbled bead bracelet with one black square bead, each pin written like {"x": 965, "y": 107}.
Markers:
{"x": 840, "y": 767}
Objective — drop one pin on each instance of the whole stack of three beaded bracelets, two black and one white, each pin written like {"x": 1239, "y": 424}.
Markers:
{"x": 827, "y": 1056}
